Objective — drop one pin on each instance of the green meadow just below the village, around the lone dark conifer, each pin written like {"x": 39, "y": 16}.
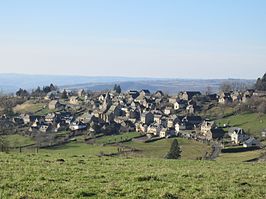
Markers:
{"x": 190, "y": 149}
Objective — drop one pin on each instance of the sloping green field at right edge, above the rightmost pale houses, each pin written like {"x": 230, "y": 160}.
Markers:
{"x": 253, "y": 123}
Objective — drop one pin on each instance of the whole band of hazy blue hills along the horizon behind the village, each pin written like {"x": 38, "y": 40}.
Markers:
{"x": 12, "y": 82}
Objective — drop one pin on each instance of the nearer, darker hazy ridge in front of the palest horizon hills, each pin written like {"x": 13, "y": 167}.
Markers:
{"x": 170, "y": 86}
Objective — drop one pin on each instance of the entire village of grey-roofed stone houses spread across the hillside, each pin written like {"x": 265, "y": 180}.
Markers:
{"x": 154, "y": 115}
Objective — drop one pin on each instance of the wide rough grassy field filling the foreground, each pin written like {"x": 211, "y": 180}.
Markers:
{"x": 60, "y": 174}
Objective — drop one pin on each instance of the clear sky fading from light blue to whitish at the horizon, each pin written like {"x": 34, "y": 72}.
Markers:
{"x": 136, "y": 38}
